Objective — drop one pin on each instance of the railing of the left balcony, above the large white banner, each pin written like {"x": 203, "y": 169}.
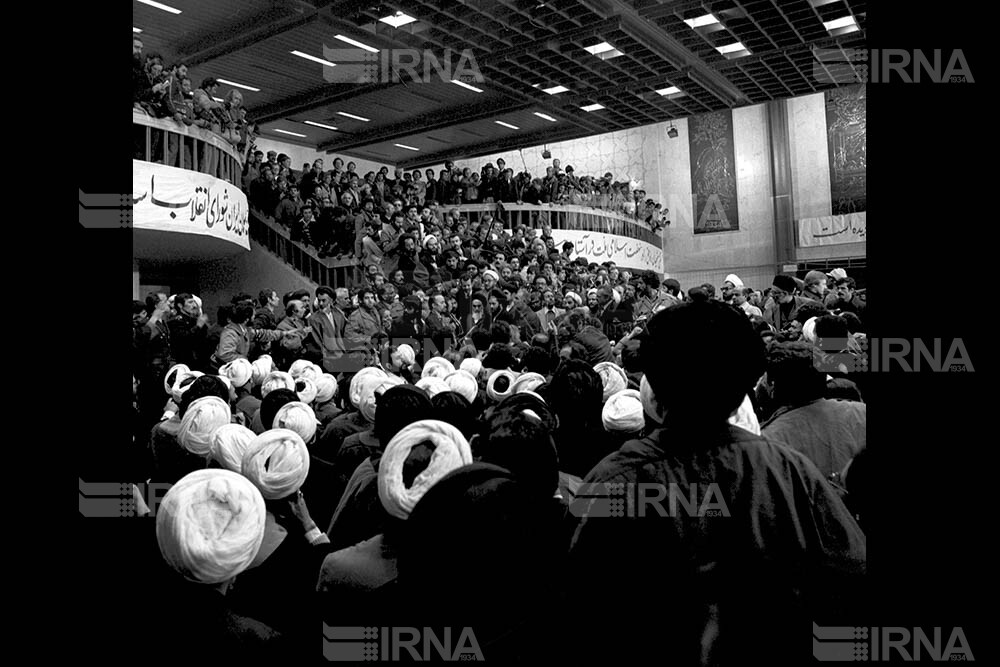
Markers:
{"x": 173, "y": 144}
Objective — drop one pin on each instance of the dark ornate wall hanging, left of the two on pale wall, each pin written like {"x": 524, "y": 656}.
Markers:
{"x": 713, "y": 172}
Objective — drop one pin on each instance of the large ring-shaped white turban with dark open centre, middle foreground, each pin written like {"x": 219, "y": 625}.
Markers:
{"x": 451, "y": 451}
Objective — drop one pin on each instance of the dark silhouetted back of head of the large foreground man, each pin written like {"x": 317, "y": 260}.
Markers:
{"x": 682, "y": 357}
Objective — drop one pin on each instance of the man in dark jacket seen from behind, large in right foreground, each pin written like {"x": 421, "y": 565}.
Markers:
{"x": 753, "y": 539}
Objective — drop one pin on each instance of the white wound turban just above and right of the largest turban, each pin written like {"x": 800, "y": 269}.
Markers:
{"x": 277, "y": 462}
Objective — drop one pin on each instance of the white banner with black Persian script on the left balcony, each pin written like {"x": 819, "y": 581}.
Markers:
{"x": 177, "y": 200}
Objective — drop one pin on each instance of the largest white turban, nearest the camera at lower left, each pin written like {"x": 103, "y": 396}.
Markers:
{"x": 210, "y": 525}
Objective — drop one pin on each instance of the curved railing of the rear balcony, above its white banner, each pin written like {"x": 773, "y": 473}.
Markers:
{"x": 569, "y": 217}
